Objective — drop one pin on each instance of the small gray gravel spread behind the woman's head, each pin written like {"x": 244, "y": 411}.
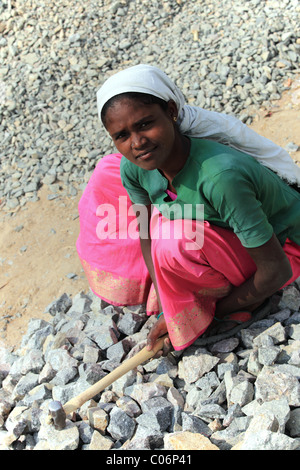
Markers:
{"x": 227, "y": 56}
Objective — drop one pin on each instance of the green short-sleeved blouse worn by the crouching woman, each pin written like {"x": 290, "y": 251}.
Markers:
{"x": 236, "y": 191}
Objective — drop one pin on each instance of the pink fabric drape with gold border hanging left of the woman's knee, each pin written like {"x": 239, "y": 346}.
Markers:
{"x": 112, "y": 262}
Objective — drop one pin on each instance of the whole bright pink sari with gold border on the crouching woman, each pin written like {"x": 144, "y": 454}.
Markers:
{"x": 191, "y": 275}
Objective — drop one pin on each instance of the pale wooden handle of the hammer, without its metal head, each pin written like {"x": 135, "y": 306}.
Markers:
{"x": 129, "y": 364}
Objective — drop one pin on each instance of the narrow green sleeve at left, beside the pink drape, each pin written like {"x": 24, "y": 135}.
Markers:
{"x": 130, "y": 181}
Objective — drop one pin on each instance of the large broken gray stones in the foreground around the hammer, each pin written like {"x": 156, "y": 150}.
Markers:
{"x": 242, "y": 392}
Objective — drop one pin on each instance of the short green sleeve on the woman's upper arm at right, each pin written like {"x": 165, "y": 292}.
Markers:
{"x": 233, "y": 196}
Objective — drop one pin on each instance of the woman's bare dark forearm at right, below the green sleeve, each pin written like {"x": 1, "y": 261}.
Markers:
{"x": 273, "y": 271}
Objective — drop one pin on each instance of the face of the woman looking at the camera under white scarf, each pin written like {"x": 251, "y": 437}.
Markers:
{"x": 144, "y": 134}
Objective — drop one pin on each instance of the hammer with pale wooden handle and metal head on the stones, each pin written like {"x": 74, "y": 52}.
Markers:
{"x": 59, "y": 412}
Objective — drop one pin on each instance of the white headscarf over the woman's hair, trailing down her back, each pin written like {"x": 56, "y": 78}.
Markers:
{"x": 197, "y": 122}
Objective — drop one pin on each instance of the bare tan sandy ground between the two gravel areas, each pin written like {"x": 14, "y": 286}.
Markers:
{"x": 35, "y": 261}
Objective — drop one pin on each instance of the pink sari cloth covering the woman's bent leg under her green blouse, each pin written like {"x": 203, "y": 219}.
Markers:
{"x": 192, "y": 281}
